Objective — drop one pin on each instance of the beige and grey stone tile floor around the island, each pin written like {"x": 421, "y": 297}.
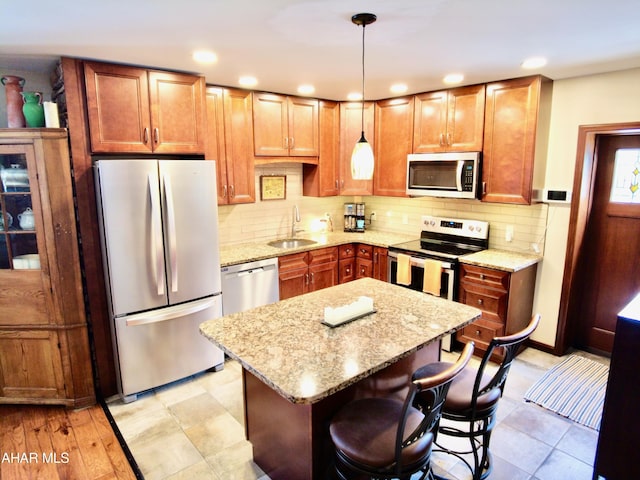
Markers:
{"x": 193, "y": 429}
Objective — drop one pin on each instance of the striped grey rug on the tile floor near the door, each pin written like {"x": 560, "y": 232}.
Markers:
{"x": 574, "y": 388}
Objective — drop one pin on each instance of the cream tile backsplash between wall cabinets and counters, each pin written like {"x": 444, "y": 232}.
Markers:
{"x": 269, "y": 219}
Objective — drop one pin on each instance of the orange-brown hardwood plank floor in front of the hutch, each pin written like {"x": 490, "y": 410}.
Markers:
{"x": 52, "y": 442}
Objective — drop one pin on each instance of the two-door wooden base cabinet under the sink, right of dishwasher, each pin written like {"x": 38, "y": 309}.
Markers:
{"x": 305, "y": 272}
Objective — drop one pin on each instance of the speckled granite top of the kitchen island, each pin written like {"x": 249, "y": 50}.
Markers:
{"x": 286, "y": 345}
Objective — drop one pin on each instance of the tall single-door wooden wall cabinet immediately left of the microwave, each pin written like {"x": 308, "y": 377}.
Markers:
{"x": 393, "y": 142}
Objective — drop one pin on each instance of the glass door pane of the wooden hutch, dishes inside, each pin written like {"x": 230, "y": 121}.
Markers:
{"x": 18, "y": 221}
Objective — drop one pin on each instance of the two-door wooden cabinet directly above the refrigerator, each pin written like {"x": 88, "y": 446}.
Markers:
{"x": 134, "y": 110}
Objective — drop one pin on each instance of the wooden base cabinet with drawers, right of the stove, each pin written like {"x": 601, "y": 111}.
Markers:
{"x": 505, "y": 298}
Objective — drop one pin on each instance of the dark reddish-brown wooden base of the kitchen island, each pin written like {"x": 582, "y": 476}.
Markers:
{"x": 291, "y": 441}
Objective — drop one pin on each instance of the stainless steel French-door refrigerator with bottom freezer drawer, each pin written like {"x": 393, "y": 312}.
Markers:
{"x": 159, "y": 228}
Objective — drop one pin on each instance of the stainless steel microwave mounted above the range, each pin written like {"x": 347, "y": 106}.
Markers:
{"x": 451, "y": 174}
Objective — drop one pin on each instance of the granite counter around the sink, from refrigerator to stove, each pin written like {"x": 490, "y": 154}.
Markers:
{"x": 252, "y": 251}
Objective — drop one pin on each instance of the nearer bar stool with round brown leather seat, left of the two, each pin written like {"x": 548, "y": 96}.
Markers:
{"x": 388, "y": 438}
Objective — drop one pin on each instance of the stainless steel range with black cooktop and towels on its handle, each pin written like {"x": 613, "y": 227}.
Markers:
{"x": 444, "y": 240}
